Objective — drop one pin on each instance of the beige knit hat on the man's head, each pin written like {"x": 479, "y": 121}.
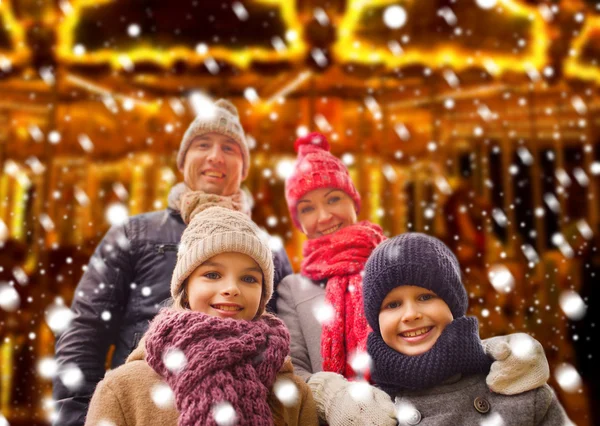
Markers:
{"x": 221, "y": 118}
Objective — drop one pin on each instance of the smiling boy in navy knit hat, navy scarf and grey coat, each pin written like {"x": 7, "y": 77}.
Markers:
{"x": 426, "y": 353}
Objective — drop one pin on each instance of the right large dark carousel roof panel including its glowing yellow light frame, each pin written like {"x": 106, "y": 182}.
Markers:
{"x": 459, "y": 36}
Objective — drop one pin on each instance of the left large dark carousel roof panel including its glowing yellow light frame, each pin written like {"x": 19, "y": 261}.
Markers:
{"x": 193, "y": 33}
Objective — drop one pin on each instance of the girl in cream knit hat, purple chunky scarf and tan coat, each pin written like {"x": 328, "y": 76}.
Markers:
{"x": 215, "y": 351}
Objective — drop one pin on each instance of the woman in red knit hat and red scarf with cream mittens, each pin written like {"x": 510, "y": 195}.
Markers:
{"x": 324, "y": 203}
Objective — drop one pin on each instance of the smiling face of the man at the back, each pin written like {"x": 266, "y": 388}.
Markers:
{"x": 213, "y": 164}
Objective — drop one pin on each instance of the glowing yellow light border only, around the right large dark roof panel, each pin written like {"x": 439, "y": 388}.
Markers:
{"x": 443, "y": 54}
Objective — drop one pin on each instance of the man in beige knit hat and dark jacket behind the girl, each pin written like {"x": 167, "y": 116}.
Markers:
{"x": 129, "y": 274}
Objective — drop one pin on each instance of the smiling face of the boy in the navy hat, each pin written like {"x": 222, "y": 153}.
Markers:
{"x": 412, "y": 318}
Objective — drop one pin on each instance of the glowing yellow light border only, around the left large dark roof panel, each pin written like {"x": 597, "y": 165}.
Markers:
{"x": 242, "y": 57}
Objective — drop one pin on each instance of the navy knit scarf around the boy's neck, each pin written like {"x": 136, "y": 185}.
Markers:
{"x": 458, "y": 350}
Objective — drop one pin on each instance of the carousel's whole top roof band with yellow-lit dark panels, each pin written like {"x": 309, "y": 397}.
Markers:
{"x": 193, "y": 40}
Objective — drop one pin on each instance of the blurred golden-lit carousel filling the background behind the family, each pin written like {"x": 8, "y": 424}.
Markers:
{"x": 475, "y": 121}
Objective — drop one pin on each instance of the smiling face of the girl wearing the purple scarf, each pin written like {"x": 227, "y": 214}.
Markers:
{"x": 228, "y": 285}
